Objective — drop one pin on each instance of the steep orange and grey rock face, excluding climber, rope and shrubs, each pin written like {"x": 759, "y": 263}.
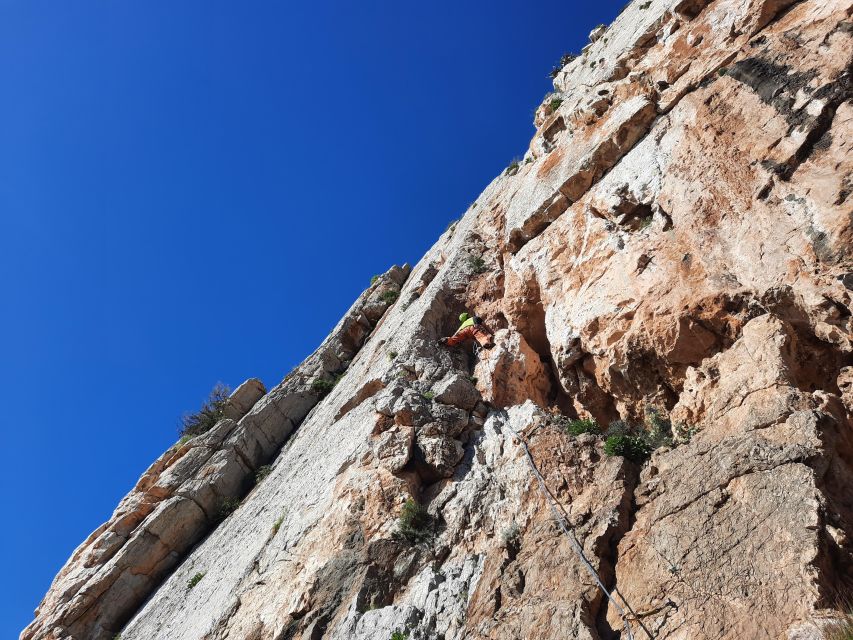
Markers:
{"x": 678, "y": 238}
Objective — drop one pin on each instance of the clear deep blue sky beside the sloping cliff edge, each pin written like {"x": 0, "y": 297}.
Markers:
{"x": 195, "y": 191}
